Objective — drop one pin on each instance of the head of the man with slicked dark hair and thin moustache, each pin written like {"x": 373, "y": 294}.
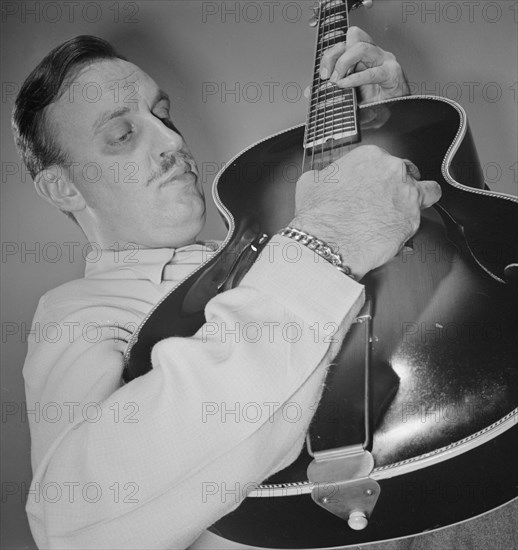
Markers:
{"x": 96, "y": 135}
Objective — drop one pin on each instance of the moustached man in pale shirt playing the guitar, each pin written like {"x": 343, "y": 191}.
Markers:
{"x": 128, "y": 463}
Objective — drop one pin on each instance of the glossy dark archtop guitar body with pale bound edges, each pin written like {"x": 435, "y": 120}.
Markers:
{"x": 444, "y": 346}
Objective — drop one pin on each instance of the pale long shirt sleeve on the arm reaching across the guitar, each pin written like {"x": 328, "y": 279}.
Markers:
{"x": 155, "y": 462}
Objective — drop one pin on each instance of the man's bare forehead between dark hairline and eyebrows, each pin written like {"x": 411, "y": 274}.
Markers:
{"x": 101, "y": 85}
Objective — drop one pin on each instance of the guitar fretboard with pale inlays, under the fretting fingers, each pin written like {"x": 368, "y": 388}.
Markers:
{"x": 332, "y": 110}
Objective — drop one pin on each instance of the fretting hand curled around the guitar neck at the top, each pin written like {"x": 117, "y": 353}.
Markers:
{"x": 376, "y": 72}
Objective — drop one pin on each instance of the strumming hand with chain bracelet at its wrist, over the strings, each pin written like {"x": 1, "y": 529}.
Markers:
{"x": 367, "y": 204}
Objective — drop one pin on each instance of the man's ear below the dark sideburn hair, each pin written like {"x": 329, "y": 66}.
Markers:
{"x": 54, "y": 185}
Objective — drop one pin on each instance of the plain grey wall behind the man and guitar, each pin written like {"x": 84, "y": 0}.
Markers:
{"x": 464, "y": 50}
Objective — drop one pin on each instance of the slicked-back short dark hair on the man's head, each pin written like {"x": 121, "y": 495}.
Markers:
{"x": 44, "y": 86}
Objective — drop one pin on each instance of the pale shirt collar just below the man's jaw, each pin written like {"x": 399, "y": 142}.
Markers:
{"x": 141, "y": 263}
